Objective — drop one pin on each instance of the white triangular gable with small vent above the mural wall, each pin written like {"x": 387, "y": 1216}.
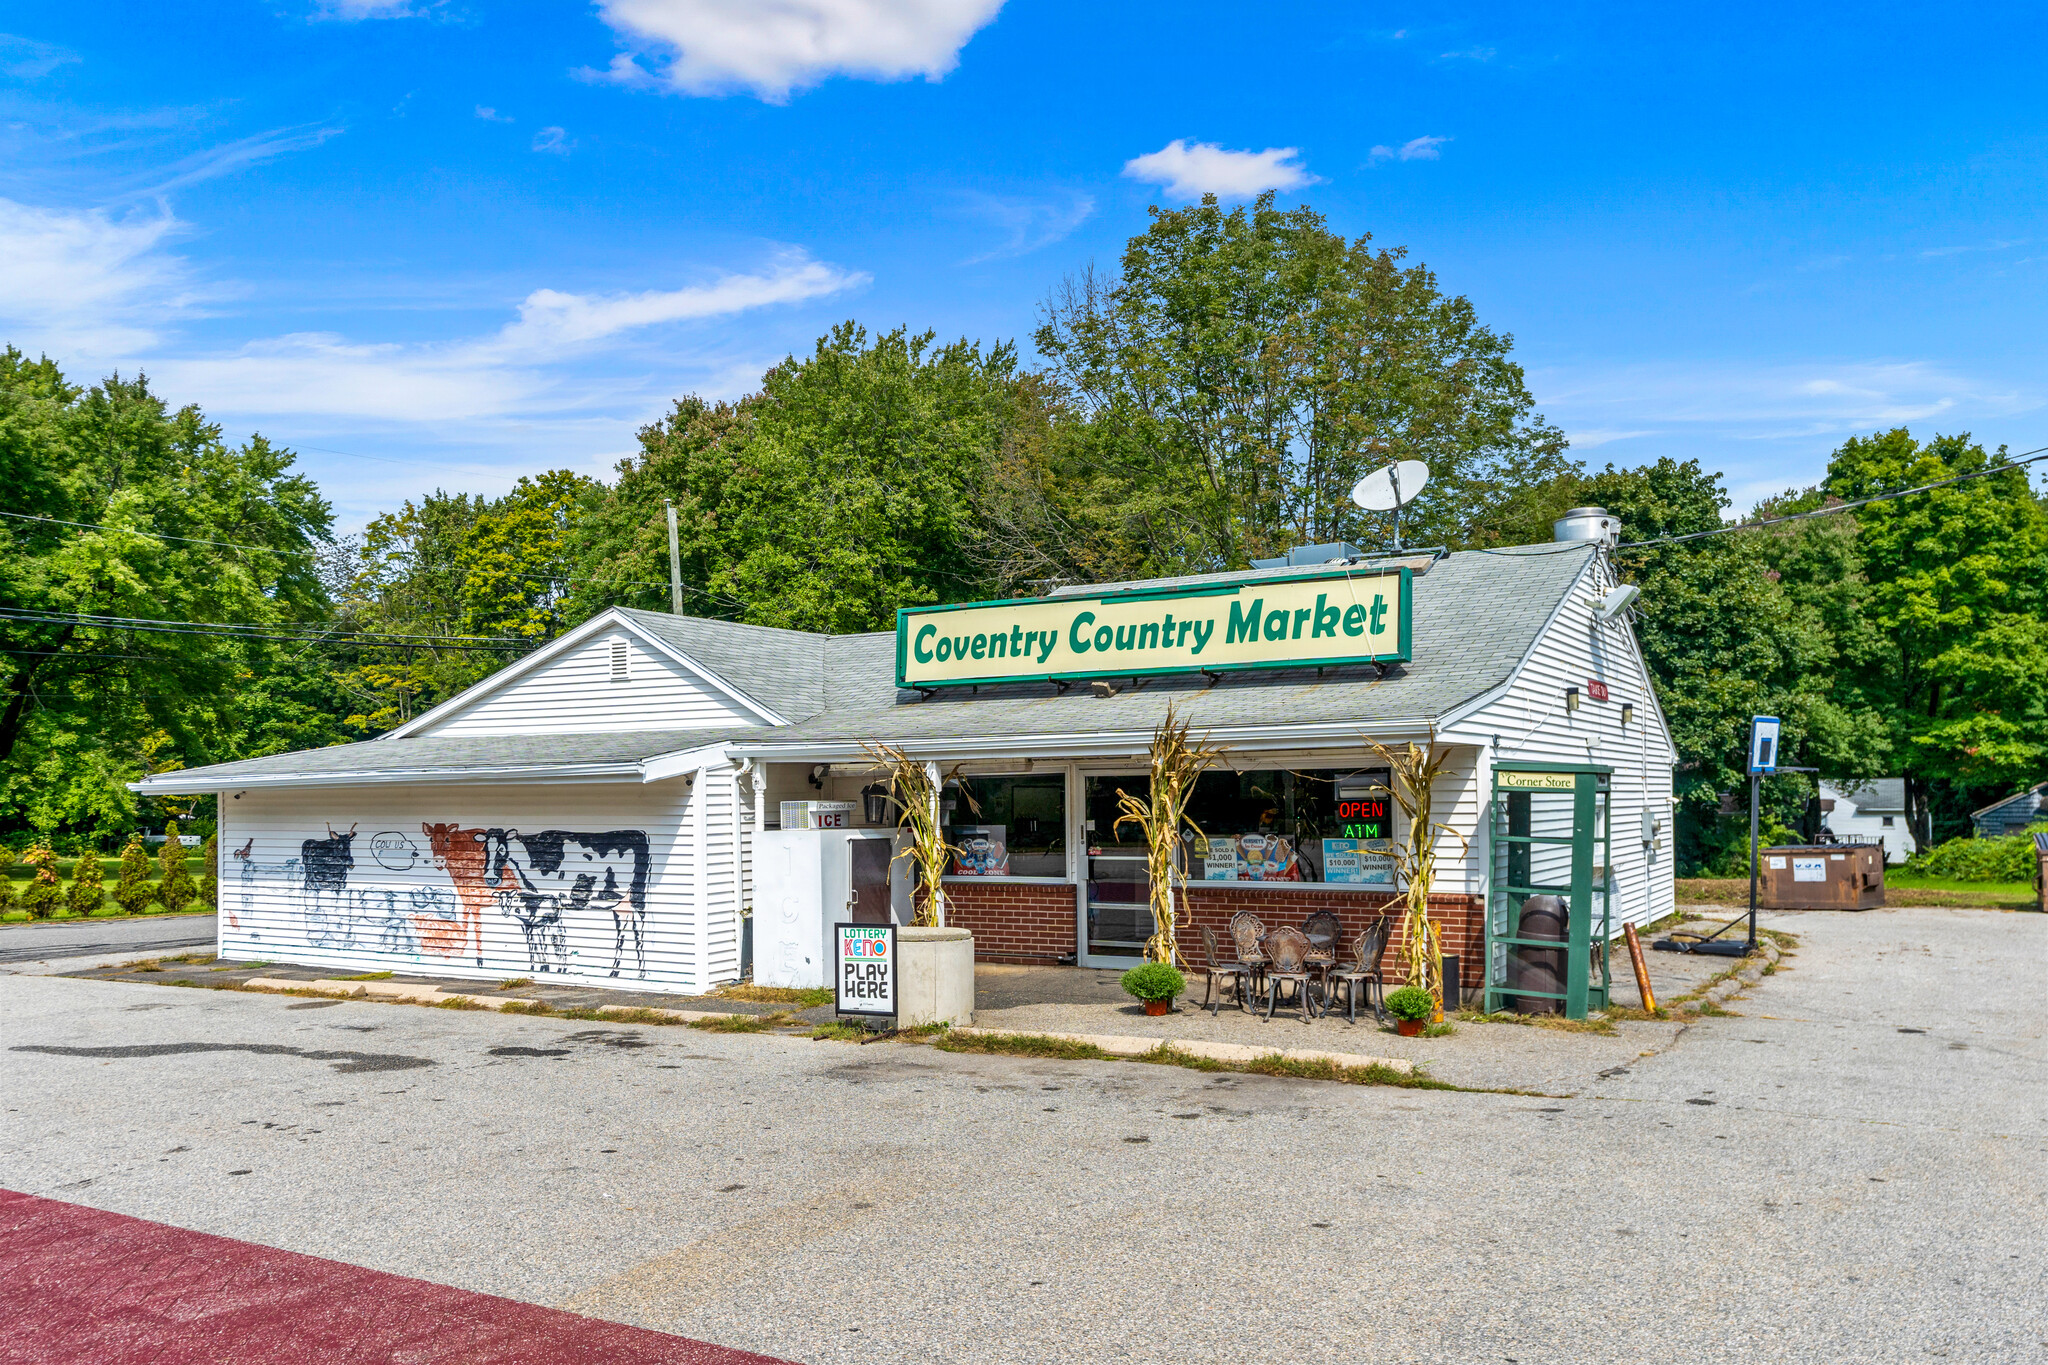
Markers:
{"x": 611, "y": 682}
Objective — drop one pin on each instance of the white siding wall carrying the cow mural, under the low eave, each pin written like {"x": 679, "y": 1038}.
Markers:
{"x": 390, "y": 908}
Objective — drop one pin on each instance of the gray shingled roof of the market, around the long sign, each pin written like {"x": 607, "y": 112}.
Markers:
{"x": 1476, "y": 619}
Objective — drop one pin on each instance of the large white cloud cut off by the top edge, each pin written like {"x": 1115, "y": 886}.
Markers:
{"x": 781, "y": 46}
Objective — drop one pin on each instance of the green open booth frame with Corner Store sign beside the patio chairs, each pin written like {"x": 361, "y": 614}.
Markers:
{"x": 1512, "y": 858}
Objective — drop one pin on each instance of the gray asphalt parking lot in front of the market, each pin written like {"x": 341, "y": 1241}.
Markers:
{"x": 1852, "y": 1168}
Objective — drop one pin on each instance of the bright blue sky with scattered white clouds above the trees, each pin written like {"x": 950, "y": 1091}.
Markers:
{"x": 447, "y": 245}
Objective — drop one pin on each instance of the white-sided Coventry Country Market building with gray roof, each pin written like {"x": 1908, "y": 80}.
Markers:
{"x": 589, "y": 813}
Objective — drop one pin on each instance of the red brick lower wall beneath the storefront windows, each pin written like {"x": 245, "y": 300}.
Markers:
{"x": 1035, "y": 924}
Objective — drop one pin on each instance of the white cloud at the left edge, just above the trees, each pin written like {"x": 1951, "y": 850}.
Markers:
{"x": 87, "y": 281}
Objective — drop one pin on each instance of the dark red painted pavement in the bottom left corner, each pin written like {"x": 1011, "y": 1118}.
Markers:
{"x": 110, "y": 1290}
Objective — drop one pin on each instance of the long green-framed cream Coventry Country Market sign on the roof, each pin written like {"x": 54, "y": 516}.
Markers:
{"x": 1318, "y": 619}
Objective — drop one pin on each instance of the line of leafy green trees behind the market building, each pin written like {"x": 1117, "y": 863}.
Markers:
{"x": 173, "y": 601}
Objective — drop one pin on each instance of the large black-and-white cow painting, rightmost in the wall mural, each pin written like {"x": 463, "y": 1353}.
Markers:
{"x": 556, "y": 875}
